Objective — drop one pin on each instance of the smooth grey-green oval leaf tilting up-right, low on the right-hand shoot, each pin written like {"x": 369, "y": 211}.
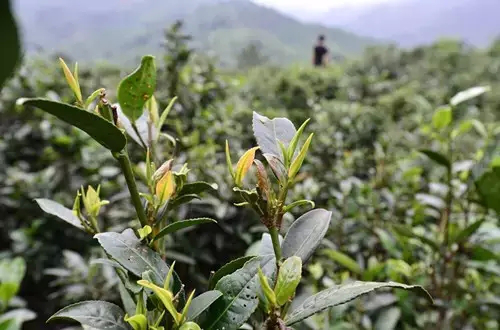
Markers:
{"x": 306, "y": 234}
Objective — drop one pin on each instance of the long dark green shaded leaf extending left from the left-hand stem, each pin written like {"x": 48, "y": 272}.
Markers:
{"x": 101, "y": 130}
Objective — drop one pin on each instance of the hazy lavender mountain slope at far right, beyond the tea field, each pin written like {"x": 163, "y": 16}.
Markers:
{"x": 413, "y": 22}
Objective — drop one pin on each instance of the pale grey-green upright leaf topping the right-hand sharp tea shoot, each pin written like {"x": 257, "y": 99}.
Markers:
{"x": 268, "y": 132}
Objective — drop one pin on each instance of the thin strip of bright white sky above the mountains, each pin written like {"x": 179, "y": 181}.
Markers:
{"x": 316, "y": 5}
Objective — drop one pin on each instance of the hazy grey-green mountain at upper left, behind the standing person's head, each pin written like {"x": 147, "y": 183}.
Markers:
{"x": 123, "y": 30}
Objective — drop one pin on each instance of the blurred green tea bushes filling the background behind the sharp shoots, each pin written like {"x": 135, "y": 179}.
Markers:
{"x": 370, "y": 117}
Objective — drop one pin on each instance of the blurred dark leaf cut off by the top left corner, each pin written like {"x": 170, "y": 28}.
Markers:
{"x": 11, "y": 44}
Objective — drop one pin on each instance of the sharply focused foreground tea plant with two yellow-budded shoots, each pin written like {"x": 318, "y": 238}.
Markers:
{"x": 257, "y": 289}
